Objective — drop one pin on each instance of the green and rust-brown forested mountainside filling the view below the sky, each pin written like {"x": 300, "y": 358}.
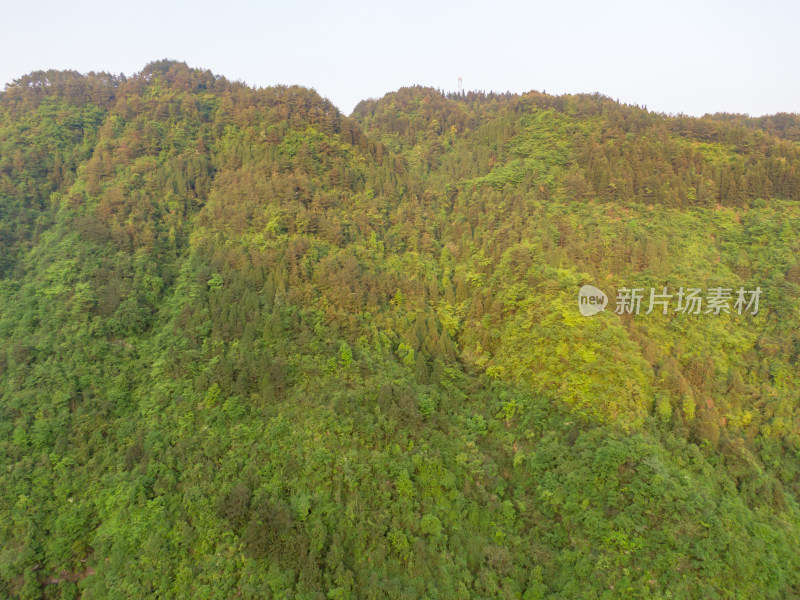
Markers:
{"x": 251, "y": 347}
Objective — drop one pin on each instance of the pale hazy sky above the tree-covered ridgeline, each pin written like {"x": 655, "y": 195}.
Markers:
{"x": 690, "y": 57}
